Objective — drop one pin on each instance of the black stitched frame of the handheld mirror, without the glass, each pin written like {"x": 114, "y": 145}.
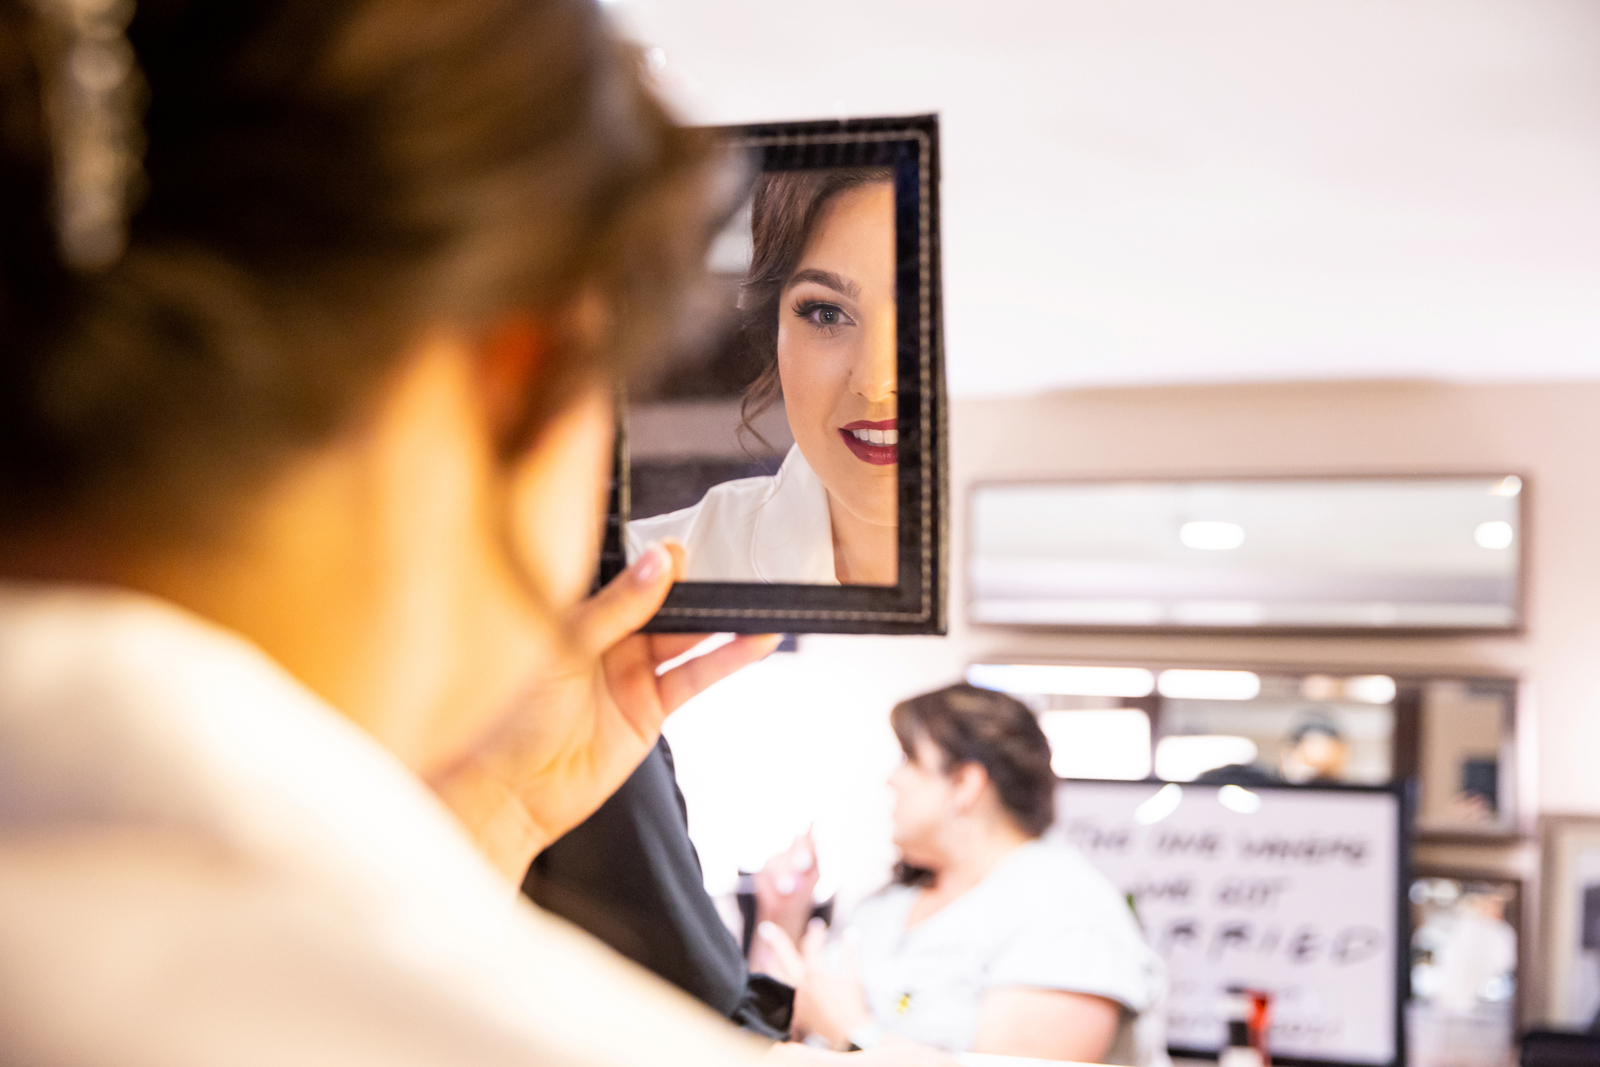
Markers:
{"x": 919, "y": 602}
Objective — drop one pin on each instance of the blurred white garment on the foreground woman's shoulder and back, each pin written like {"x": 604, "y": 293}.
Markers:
{"x": 201, "y": 863}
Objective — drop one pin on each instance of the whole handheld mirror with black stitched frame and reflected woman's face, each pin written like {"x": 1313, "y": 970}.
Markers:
{"x": 794, "y": 449}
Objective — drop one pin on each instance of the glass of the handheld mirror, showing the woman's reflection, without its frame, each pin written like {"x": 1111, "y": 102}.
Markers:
{"x": 774, "y": 454}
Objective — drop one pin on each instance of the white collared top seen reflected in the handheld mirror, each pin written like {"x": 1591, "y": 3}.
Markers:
{"x": 753, "y": 530}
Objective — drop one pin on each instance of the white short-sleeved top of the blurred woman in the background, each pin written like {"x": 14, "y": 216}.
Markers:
{"x": 1044, "y": 919}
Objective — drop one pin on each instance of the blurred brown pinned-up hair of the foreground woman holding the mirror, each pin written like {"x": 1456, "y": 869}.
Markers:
{"x": 322, "y": 183}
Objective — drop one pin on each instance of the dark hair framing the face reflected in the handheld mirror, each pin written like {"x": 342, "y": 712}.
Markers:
{"x": 783, "y": 214}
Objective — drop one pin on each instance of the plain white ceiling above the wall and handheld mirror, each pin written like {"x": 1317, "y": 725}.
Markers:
{"x": 1175, "y": 191}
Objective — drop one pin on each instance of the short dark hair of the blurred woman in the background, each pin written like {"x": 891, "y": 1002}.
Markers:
{"x": 972, "y": 725}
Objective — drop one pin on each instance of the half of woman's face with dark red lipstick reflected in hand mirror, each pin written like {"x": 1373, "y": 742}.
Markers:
{"x": 836, "y": 353}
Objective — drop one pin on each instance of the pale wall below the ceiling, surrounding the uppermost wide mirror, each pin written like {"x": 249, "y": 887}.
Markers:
{"x": 806, "y": 737}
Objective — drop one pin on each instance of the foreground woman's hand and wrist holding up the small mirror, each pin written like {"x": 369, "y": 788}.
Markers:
{"x": 588, "y": 721}
